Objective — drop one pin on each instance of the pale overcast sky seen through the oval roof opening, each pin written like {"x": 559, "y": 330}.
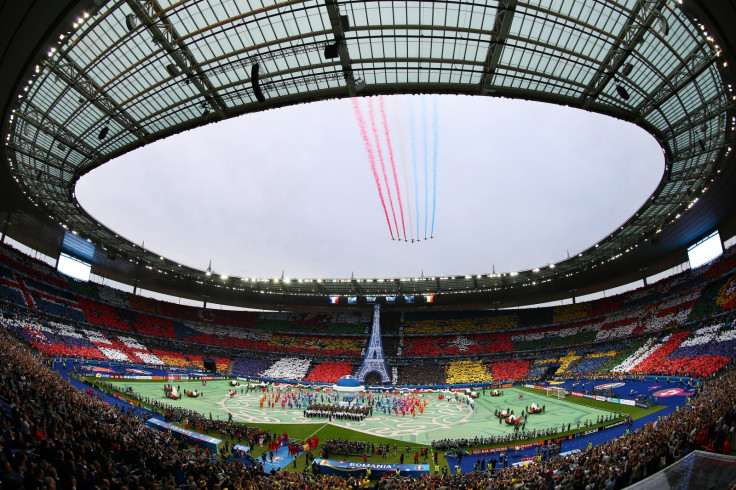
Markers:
{"x": 518, "y": 185}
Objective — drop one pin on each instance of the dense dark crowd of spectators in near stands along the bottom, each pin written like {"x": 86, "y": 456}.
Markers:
{"x": 55, "y": 436}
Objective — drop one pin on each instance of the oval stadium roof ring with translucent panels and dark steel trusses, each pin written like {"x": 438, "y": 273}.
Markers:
{"x": 84, "y": 82}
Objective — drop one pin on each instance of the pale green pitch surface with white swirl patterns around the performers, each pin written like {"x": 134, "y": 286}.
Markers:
{"x": 442, "y": 419}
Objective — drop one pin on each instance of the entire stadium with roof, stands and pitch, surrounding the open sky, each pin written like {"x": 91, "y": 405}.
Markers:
{"x": 623, "y": 390}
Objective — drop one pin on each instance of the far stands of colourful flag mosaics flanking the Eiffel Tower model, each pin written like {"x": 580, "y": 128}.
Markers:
{"x": 664, "y": 328}
